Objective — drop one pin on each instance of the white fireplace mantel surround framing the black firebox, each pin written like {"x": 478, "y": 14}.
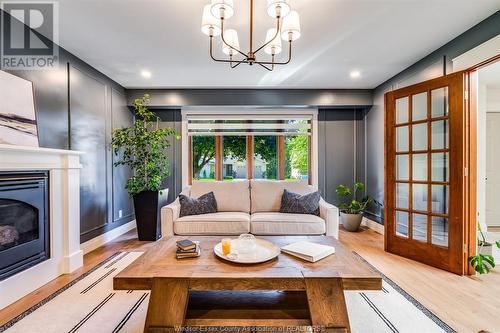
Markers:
{"x": 64, "y": 213}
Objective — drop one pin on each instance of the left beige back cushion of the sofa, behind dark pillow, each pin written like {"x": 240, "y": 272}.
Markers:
{"x": 231, "y": 196}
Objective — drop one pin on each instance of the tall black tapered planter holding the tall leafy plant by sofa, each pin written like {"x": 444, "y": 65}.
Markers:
{"x": 147, "y": 205}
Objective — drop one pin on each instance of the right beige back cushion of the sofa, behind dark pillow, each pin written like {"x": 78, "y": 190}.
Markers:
{"x": 266, "y": 194}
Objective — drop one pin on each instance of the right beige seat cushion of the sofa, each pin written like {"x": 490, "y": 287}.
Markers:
{"x": 286, "y": 224}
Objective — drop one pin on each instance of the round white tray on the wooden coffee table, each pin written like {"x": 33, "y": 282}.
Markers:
{"x": 263, "y": 251}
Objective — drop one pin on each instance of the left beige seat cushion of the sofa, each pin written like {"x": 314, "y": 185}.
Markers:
{"x": 223, "y": 223}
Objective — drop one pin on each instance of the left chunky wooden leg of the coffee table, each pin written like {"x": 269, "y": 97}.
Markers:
{"x": 167, "y": 305}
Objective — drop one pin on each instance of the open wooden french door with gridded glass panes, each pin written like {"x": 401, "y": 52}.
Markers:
{"x": 425, "y": 170}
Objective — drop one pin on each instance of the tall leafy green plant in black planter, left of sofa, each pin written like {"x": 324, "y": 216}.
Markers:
{"x": 143, "y": 147}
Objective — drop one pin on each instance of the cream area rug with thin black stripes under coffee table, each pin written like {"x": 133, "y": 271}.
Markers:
{"x": 89, "y": 304}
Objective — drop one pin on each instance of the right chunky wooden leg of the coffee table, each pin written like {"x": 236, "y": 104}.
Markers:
{"x": 327, "y": 306}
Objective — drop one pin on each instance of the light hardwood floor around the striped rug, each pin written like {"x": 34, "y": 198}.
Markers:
{"x": 468, "y": 304}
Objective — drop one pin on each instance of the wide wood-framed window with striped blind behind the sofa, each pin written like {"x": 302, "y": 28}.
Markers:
{"x": 261, "y": 146}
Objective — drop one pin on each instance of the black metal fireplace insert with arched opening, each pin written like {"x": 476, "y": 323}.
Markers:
{"x": 24, "y": 220}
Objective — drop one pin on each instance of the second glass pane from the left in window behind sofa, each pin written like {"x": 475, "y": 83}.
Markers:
{"x": 234, "y": 162}
